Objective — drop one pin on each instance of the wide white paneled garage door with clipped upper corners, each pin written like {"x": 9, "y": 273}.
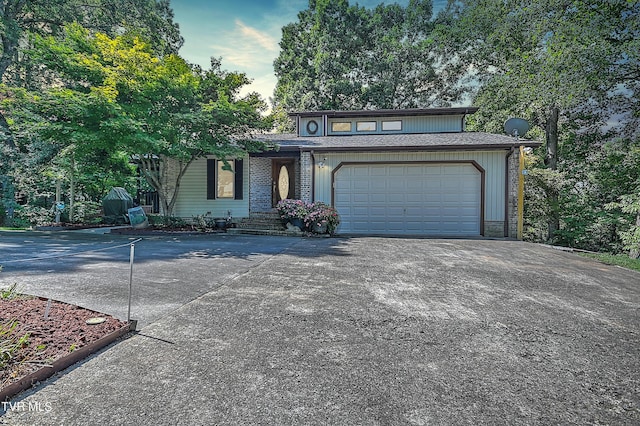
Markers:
{"x": 421, "y": 199}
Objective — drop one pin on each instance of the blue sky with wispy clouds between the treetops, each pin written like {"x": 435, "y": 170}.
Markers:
{"x": 244, "y": 33}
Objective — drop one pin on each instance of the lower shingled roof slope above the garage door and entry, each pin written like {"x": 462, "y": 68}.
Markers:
{"x": 400, "y": 141}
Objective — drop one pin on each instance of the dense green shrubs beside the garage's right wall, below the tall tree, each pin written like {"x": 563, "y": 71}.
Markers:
{"x": 585, "y": 194}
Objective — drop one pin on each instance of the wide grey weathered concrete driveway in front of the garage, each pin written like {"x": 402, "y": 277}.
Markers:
{"x": 353, "y": 331}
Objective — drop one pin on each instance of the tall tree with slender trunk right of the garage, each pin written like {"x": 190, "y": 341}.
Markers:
{"x": 553, "y": 62}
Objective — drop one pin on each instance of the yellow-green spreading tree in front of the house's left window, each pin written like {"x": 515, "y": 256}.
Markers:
{"x": 121, "y": 97}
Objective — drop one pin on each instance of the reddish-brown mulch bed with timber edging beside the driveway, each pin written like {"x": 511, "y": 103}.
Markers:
{"x": 52, "y": 334}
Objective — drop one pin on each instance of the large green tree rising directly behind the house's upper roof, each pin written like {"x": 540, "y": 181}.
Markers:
{"x": 338, "y": 56}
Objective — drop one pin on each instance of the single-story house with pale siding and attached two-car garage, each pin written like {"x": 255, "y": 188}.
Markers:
{"x": 400, "y": 172}
